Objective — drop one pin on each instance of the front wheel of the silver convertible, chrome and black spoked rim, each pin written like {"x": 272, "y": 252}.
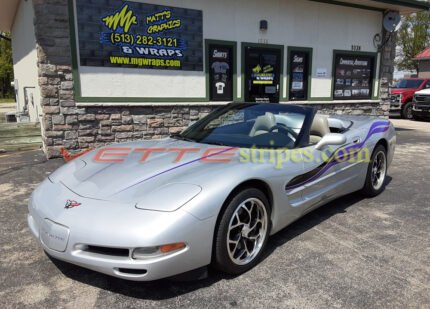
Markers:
{"x": 242, "y": 232}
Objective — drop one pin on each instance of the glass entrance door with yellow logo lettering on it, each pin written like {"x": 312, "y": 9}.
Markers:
{"x": 262, "y": 74}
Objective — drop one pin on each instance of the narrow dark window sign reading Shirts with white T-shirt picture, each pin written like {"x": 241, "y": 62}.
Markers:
{"x": 221, "y": 71}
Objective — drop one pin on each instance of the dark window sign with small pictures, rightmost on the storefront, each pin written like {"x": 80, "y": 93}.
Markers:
{"x": 353, "y": 77}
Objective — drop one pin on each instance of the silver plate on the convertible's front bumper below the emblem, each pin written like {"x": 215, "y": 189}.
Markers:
{"x": 54, "y": 236}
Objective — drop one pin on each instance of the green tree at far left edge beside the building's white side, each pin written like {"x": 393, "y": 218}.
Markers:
{"x": 6, "y": 66}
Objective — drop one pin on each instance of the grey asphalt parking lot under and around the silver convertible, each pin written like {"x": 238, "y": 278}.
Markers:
{"x": 351, "y": 253}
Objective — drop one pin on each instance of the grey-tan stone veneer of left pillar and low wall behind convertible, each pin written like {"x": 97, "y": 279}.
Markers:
{"x": 75, "y": 128}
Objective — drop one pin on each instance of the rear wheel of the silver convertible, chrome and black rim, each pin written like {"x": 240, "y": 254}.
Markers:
{"x": 376, "y": 173}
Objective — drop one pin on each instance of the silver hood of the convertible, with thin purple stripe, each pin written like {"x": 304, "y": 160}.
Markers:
{"x": 92, "y": 177}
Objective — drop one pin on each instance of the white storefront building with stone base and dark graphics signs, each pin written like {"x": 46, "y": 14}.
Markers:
{"x": 105, "y": 71}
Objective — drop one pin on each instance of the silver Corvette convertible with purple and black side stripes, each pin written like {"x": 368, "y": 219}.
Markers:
{"x": 211, "y": 195}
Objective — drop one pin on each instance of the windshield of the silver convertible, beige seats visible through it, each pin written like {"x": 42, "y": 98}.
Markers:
{"x": 251, "y": 125}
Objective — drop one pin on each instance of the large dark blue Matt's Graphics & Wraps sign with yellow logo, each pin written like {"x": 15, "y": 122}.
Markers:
{"x": 132, "y": 34}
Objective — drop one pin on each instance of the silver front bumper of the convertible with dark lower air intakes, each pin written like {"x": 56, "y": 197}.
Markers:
{"x": 101, "y": 235}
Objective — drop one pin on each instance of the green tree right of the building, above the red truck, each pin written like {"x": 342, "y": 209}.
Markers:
{"x": 412, "y": 38}
